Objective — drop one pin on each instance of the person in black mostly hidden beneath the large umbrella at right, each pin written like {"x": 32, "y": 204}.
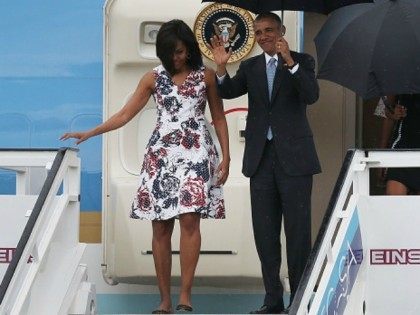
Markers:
{"x": 406, "y": 116}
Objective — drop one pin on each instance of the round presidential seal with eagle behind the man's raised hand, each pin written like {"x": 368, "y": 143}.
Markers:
{"x": 233, "y": 24}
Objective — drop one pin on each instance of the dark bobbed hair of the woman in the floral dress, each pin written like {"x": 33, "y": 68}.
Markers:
{"x": 169, "y": 34}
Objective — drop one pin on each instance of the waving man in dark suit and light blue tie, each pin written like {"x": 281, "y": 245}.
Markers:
{"x": 280, "y": 156}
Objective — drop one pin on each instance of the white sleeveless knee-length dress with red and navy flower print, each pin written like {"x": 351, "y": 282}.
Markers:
{"x": 178, "y": 174}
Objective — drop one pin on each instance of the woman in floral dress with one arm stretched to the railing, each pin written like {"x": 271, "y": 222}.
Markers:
{"x": 181, "y": 176}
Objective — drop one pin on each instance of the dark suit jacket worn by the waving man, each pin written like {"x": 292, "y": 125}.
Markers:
{"x": 286, "y": 113}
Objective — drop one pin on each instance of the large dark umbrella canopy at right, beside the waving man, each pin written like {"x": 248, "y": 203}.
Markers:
{"x": 372, "y": 49}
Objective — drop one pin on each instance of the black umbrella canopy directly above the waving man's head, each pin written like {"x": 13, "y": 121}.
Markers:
{"x": 319, "y": 6}
